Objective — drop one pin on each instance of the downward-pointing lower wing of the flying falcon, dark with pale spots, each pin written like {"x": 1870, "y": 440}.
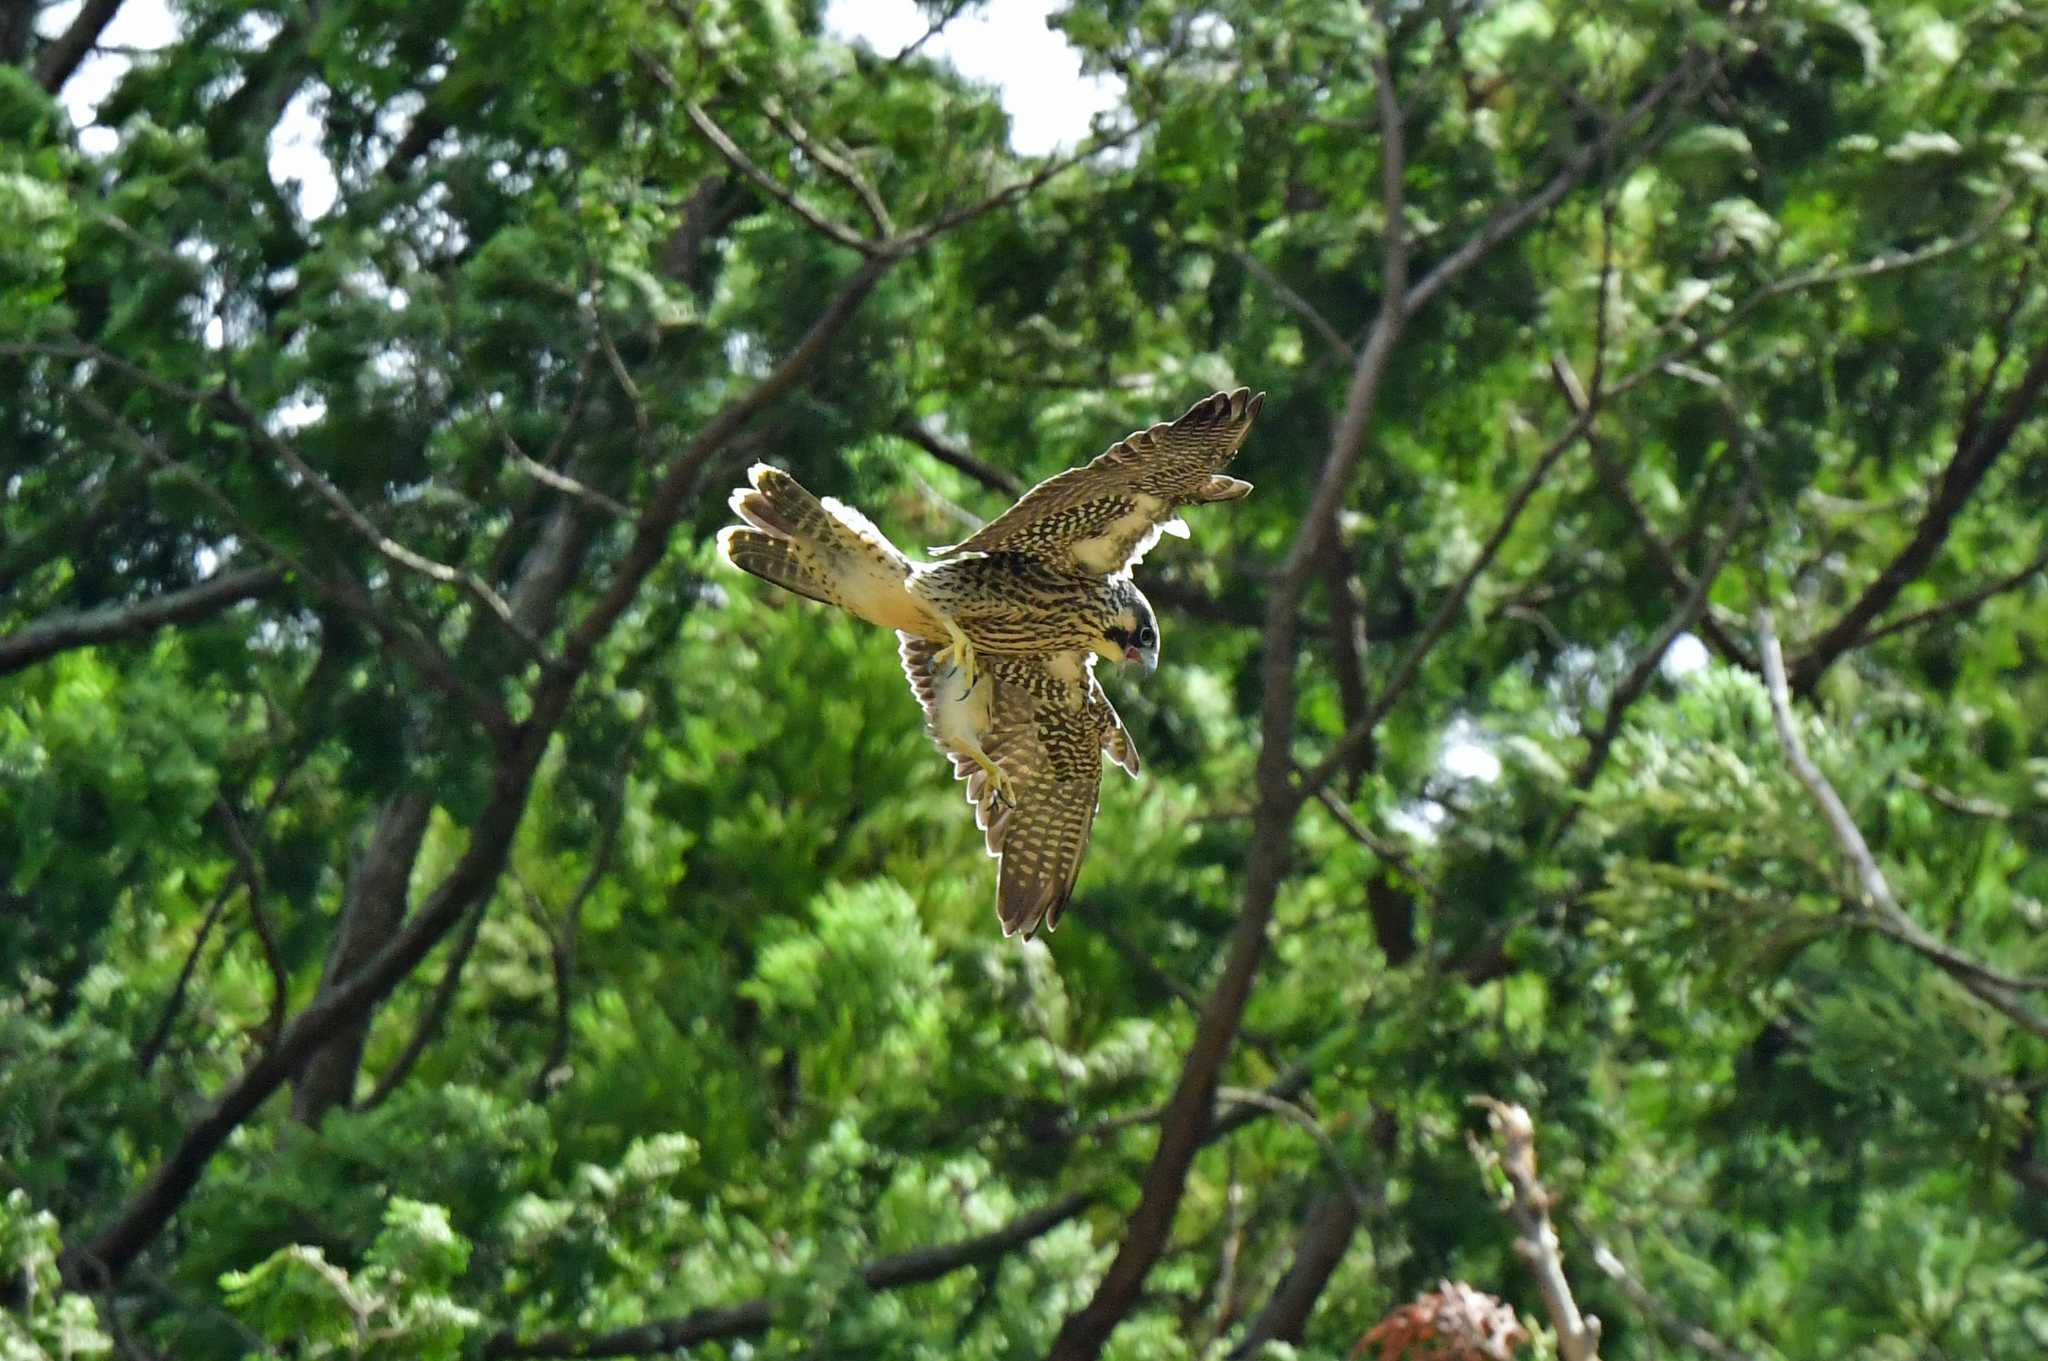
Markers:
{"x": 1046, "y": 721}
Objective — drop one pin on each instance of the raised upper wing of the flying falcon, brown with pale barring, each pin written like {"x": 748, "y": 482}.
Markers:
{"x": 1103, "y": 517}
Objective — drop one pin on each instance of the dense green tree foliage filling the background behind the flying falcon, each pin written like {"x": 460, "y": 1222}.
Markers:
{"x": 736, "y": 1022}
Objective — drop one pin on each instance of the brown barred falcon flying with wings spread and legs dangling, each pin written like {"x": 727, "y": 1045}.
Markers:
{"x": 1000, "y": 635}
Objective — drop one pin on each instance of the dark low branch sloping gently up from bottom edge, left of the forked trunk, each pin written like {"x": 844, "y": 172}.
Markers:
{"x": 755, "y": 1317}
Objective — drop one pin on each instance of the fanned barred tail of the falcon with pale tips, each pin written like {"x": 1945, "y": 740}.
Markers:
{"x": 820, "y": 550}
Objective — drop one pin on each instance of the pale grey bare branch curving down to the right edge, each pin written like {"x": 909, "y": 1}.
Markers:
{"x": 1885, "y": 916}
